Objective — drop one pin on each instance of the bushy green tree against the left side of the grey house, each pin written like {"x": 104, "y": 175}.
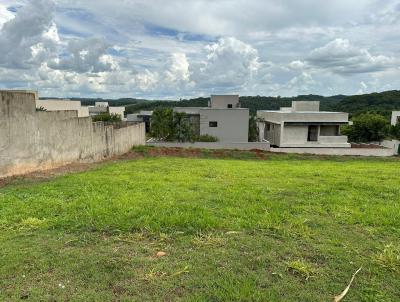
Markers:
{"x": 162, "y": 123}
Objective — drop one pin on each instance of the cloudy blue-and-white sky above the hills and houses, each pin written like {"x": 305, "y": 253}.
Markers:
{"x": 174, "y": 49}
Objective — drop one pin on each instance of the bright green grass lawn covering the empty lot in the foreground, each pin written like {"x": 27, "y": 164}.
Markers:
{"x": 280, "y": 229}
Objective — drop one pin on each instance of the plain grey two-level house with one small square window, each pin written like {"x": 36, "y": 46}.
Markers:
{"x": 223, "y": 118}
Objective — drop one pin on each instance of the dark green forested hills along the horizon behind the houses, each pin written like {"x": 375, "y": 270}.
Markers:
{"x": 382, "y": 103}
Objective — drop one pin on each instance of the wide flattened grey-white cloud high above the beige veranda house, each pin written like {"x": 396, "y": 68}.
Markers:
{"x": 340, "y": 56}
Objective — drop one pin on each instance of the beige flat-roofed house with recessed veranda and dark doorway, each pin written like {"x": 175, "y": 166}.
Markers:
{"x": 303, "y": 125}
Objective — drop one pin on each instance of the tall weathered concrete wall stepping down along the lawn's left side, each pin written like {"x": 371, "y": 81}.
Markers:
{"x": 32, "y": 140}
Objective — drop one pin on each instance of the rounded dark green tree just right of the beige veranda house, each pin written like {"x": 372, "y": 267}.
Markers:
{"x": 367, "y": 127}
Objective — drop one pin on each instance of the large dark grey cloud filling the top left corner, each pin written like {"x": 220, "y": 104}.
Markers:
{"x": 21, "y": 35}
